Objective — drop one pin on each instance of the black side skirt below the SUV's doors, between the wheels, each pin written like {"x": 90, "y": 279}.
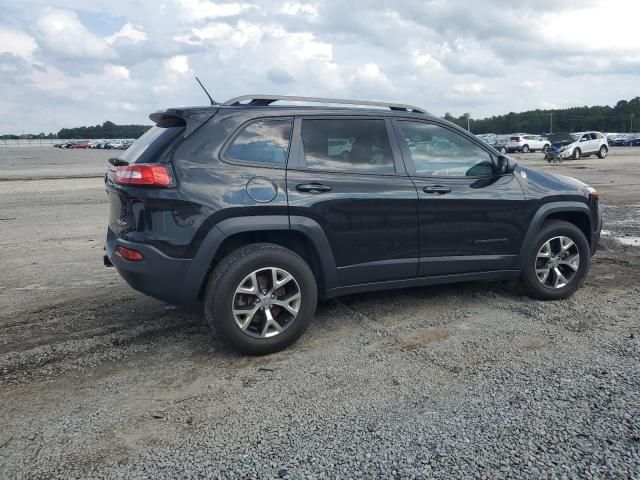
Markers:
{"x": 421, "y": 281}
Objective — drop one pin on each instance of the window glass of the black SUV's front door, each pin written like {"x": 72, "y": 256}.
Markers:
{"x": 437, "y": 151}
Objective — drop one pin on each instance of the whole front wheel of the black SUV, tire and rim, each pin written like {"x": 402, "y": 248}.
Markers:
{"x": 552, "y": 288}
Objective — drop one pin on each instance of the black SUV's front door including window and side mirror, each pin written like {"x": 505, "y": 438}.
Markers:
{"x": 471, "y": 219}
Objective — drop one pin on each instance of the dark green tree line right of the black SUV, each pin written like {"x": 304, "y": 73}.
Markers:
{"x": 623, "y": 117}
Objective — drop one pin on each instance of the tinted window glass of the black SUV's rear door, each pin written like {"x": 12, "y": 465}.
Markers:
{"x": 347, "y": 145}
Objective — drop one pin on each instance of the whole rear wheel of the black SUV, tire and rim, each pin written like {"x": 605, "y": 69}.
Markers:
{"x": 260, "y": 335}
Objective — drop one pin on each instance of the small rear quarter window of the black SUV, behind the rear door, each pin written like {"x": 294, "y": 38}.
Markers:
{"x": 263, "y": 141}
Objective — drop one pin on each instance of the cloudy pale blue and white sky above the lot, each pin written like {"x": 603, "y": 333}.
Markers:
{"x": 67, "y": 63}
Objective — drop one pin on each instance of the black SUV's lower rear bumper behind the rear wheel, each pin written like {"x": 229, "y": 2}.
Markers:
{"x": 157, "y": 275}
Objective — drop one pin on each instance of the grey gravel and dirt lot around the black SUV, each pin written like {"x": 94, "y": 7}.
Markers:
{"x": 473, "y": 380}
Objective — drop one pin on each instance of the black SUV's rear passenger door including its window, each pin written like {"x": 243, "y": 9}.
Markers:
{"x": 345, "y": 174}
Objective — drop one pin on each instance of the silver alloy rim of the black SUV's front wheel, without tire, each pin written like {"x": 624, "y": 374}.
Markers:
{"x": 557, "y": 262}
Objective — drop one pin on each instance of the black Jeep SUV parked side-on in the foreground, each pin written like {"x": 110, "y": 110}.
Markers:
{"x": 259, "y": 209}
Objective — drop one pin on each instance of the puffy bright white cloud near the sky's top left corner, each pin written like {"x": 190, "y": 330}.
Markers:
{"x": 62, "y": 33}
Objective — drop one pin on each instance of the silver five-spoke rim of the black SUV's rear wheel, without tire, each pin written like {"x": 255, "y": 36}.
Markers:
{"x": 266, "y": 302}
